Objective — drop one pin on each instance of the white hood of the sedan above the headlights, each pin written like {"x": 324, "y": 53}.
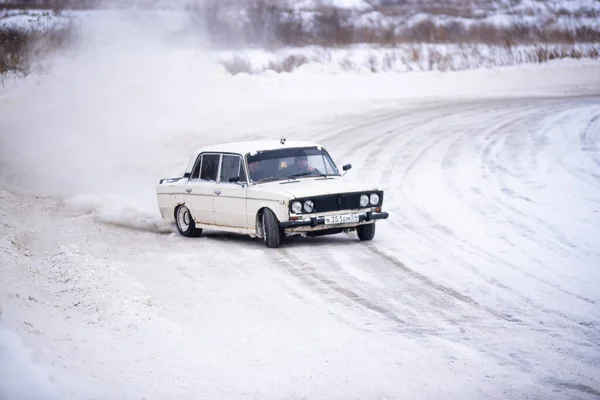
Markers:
{"x": 311, "y": 187}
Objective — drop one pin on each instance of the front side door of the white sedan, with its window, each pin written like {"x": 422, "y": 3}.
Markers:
{"x": 230, "y": 197}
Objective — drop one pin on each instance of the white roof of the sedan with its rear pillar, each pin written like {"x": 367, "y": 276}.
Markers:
{"x": 249, "y": 147}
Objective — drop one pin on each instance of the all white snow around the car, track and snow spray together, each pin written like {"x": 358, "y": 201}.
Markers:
{"x": 483, "y": 283}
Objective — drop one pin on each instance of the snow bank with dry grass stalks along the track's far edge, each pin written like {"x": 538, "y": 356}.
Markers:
{"x": 401, "y": 58}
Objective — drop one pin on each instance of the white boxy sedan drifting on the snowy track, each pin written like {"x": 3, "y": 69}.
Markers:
{"x": 268, "y": 189}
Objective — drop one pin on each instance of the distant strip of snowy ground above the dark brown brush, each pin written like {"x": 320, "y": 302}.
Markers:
{"x": 547, "y": 13}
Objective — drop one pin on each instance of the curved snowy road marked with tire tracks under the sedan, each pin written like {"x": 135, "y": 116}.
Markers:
{"x": 483, "y": 283}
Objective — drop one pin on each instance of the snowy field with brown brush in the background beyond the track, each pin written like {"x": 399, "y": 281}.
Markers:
{"x": 412, "y": 36}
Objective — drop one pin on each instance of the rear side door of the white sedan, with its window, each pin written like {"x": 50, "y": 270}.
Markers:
{"x": 199, "y": 191}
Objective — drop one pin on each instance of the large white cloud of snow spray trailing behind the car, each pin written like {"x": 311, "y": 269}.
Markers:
{"x": 100, "y": 120}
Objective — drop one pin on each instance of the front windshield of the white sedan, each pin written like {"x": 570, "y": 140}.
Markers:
{"x": 290, "y": 163}
